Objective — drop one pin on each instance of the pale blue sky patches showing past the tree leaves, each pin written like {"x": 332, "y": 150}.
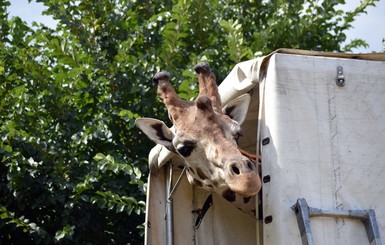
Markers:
{"x": 367, "y": 26}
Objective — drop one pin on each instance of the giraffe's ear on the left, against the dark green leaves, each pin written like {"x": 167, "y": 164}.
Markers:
{"x": 157, "y": 131}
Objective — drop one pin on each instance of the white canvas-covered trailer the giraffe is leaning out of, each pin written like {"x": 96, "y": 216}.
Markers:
{"x": 318, "y": 121}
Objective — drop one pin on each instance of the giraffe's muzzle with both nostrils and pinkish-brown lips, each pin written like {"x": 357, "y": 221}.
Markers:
{"x": 242, "y": 177}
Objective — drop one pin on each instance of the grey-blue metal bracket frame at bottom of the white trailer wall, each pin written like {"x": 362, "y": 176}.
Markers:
{"x": 304, "y": 212}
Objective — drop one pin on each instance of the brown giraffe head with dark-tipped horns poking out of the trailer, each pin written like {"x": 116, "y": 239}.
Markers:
{"x": 205, "y": 136}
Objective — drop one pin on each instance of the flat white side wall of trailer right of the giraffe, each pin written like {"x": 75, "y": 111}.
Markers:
{"x": 326, "y": 145}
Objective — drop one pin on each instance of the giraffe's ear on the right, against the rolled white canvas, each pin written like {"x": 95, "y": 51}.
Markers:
{"x": 237, "y": 108}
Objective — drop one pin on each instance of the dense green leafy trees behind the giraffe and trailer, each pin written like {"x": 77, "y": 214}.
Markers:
{"x": 73, "y": 167}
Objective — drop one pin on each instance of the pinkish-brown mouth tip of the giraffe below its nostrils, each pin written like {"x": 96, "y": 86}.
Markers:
{"x": 245, "y": 185}
